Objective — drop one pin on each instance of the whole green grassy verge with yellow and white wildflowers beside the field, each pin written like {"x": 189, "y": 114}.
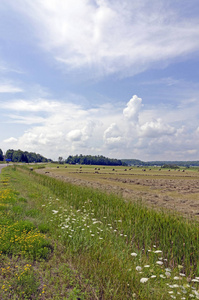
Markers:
{"x": 61, "y": 241}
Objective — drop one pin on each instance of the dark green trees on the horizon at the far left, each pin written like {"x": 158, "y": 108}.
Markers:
{"x": 22, "y": 156}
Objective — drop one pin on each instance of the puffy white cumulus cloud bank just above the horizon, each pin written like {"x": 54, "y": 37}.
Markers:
{"x": 66, "y": 128}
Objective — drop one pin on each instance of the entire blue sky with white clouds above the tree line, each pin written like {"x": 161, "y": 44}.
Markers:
{"x": 118, "y": 78}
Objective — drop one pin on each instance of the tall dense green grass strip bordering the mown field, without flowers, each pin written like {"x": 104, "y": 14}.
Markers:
{"x": 144, "y": 227}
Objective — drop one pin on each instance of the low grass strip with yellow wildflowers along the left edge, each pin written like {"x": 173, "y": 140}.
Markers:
{"x": 26, "y": 253}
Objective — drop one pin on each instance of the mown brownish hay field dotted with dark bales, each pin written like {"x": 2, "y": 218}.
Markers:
{"x": 169, "y": 189}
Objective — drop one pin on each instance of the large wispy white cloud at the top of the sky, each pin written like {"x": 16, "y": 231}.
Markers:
{"x": 111, "y": 36}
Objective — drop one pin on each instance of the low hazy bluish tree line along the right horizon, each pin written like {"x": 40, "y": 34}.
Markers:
{"x": 137, "y": 162}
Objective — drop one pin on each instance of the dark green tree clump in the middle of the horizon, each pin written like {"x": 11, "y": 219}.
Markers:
{"x": 94, "y": 160}
